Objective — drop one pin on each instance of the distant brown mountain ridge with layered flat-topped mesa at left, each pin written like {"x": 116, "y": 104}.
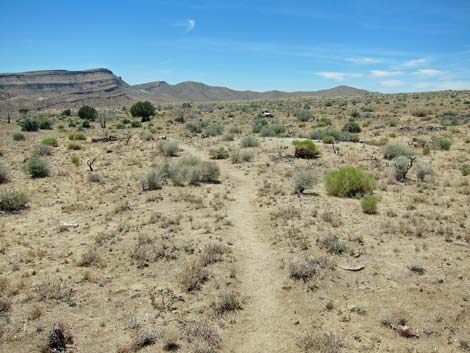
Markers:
{"x": 102, "y": 88}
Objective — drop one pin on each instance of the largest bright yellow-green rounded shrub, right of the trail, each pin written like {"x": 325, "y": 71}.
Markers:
{"x": 349, "y": 182}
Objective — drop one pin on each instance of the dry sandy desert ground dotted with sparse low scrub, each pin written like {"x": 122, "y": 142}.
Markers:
{"x": 233, "y": 255}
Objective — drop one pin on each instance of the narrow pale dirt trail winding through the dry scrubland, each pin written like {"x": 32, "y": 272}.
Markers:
{"x": 263, "y": 325}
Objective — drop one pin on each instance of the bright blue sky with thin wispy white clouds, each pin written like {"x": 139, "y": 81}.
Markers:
{"x": 387, "y": 46}
